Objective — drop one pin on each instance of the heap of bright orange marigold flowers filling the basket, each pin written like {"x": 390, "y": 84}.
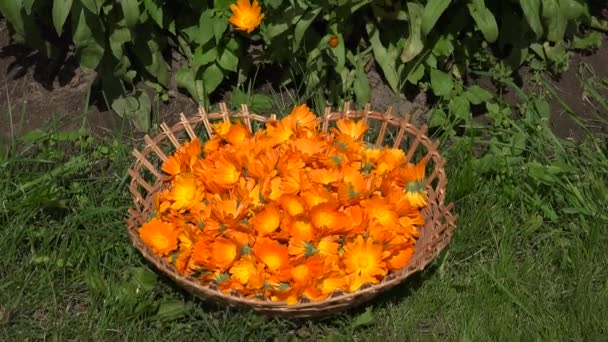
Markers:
{"x": 287, "y": 212}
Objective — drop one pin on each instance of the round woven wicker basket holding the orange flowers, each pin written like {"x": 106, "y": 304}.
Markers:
{"x": 439, "y": 225}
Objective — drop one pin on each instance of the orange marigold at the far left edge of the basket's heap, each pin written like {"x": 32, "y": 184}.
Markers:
{"x": 160, "y": 236}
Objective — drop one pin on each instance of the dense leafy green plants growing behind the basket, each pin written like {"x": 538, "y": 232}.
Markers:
{"x": 328, "y": 44}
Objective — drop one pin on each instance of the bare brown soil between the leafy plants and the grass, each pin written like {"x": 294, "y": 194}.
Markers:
{"x": 38, "y": 92}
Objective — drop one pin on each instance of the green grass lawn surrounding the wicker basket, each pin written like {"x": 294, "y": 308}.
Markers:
{"x": 528, "y": 261}
